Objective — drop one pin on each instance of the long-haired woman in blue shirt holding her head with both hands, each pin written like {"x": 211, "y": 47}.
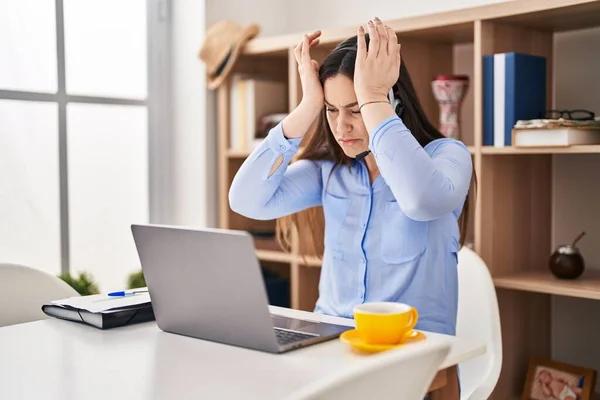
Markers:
{"x": 391, "y": 185}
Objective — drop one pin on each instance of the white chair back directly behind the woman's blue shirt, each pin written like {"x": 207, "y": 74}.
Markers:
{"x": 478, "y": 320}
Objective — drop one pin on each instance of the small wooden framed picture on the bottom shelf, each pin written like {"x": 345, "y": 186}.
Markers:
{"x": 553, "y": 380}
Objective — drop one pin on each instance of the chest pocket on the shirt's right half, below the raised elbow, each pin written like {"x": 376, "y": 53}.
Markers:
{"x": 402, "y": 239}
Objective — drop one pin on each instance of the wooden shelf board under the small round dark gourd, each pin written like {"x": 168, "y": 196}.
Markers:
{"x": 587, "y": 286}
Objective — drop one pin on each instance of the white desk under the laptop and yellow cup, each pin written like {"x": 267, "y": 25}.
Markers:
{"x": 61, "y": 360}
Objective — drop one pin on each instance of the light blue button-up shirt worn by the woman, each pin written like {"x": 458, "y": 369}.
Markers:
{"x": 393, "y": 240}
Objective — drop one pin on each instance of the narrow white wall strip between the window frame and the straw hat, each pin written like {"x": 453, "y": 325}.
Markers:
{"x": 190, "y": 200}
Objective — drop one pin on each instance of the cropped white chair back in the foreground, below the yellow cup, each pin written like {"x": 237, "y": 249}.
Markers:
{"x": 403, "y": 373}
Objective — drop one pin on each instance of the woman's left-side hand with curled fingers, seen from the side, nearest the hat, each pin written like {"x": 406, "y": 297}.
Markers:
{"x": 312, "y": 92}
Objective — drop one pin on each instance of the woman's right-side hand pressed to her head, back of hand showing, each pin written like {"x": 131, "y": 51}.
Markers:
{"x": 377, "y": 67}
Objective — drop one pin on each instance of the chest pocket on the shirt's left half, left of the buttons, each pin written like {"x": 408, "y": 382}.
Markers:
{"x": 336, "y": 212}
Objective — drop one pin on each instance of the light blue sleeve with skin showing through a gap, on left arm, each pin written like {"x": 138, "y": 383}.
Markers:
{"x": 266, "y": 186}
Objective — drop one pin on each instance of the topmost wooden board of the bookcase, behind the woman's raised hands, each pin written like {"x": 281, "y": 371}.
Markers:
{"x": 457, "y": 26}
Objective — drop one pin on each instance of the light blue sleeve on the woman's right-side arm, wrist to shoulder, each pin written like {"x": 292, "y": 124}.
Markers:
{"x": 426, "y": 184}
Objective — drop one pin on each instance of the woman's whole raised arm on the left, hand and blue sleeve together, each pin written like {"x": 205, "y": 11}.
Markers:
{"x": 267, "y": 186}
